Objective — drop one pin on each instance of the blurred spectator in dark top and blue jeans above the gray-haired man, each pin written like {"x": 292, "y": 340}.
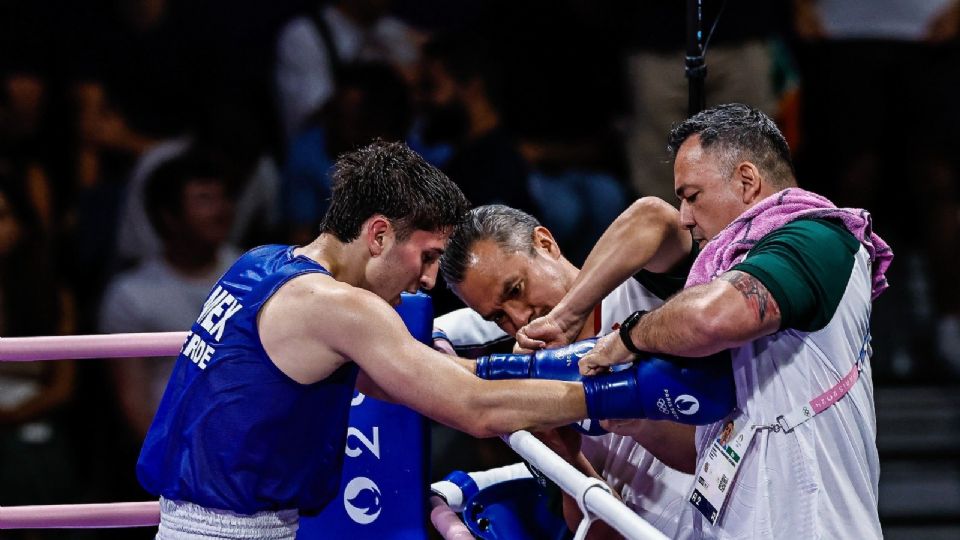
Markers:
{"x": 560, "y": 97}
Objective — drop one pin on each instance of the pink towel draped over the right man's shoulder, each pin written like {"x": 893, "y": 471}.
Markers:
{"x": 739, "y": 237}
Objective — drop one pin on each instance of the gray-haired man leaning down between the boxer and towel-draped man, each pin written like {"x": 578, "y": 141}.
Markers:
{"x": 509, "y": 269}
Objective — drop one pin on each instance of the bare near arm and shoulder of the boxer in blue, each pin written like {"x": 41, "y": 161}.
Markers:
{"x": 337, "y": 322}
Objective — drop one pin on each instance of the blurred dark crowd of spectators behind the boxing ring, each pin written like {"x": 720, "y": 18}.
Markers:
{"x": 145, "y": 143}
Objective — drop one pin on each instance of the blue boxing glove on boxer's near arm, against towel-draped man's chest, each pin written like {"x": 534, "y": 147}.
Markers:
{"x": 695, "y": 391}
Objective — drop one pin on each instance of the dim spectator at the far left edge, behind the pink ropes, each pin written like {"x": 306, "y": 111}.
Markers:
{"x": 36, "y": 463}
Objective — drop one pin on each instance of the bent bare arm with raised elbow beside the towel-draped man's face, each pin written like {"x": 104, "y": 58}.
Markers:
{"x": 647, "y": 235}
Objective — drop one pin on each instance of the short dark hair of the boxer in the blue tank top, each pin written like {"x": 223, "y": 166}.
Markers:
{"x": 389, "y": 178}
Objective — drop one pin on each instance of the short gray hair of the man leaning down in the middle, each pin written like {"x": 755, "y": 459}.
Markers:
{"x": 511, "y": 229}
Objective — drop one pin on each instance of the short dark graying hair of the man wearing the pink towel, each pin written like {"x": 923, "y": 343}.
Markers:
{"x": 739, "y": 133}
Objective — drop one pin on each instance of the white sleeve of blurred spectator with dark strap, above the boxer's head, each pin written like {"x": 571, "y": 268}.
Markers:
{"x": 304, "y": 77}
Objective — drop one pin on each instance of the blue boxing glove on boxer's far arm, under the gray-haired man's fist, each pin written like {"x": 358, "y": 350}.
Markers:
{"x": 561, "y": 364}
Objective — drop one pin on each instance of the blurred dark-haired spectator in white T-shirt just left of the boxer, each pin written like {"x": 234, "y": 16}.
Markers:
{"x": 190, "y": 203}
